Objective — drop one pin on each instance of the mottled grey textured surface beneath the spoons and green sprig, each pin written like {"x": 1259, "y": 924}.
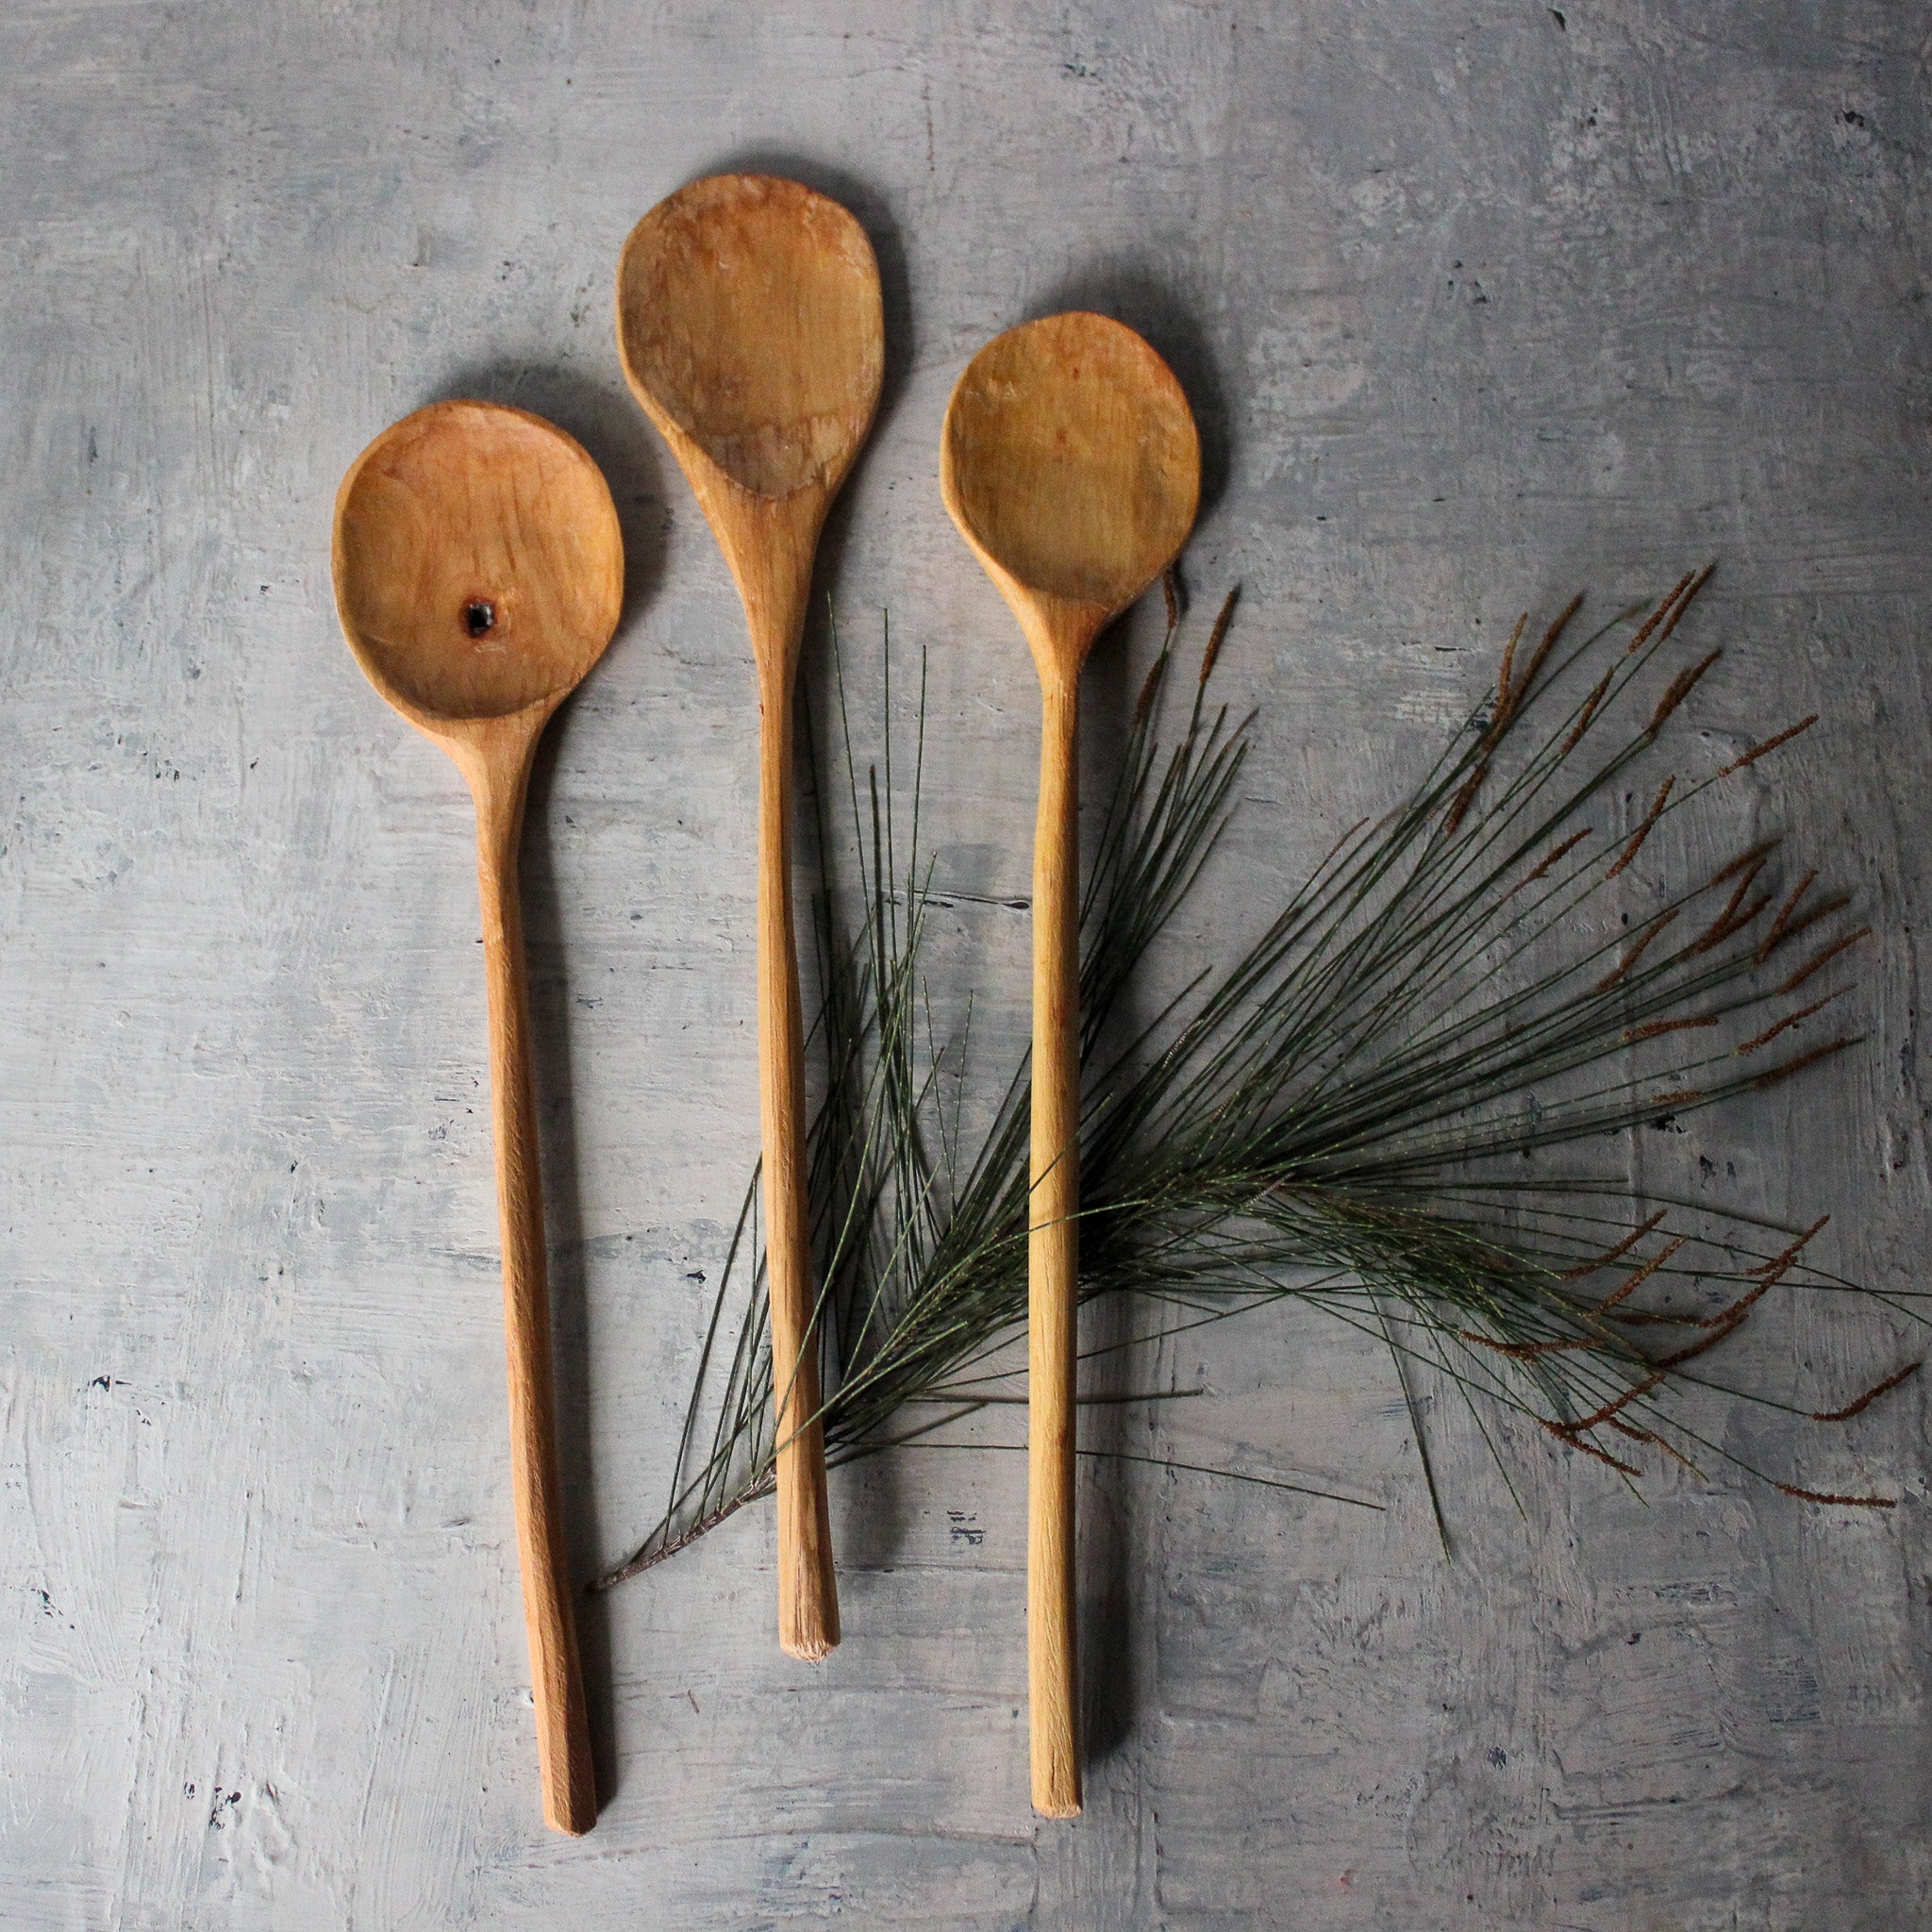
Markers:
{"x": 1477, "y": 302}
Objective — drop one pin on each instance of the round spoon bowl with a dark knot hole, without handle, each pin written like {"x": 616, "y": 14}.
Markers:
{"x": 480, "y": 567}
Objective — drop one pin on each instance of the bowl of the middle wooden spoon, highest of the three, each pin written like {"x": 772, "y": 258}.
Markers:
{"x": 751, "y": 320}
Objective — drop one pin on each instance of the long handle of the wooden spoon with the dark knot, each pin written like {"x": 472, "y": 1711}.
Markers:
{"x": 557, "y": 1682}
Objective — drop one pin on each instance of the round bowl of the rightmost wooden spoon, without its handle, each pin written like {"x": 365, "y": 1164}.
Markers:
{"x": 1071, "y": 459}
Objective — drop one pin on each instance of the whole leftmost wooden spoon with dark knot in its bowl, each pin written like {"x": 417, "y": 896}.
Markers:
{"x": 478, "y": 575}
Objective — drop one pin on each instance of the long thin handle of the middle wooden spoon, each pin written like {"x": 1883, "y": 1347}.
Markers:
{"x": 809, "y": 1589}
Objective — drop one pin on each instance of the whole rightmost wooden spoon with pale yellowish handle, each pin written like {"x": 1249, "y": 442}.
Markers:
{"x": 1071, "y": 465}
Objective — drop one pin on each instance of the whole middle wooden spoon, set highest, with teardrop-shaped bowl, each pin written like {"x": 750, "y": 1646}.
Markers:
{"x": 751, "y": 327}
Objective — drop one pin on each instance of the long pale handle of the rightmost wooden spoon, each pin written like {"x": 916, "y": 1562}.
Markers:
{"x": 1054, "y": 1263}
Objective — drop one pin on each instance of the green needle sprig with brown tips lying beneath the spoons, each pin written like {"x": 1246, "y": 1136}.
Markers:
{"x": 1344, "y": 1116}
